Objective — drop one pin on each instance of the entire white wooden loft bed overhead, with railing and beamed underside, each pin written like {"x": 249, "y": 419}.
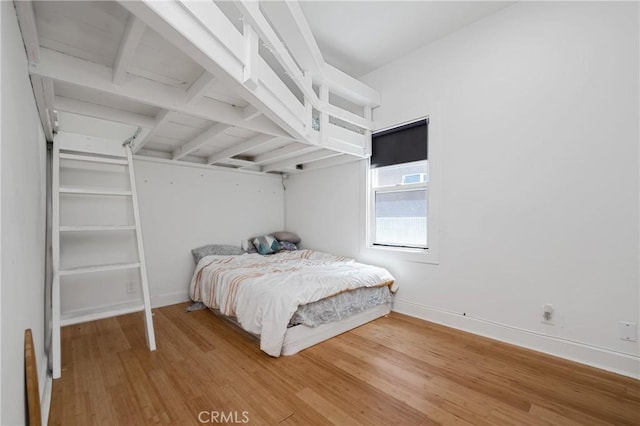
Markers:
{"x": 228, "y": 84}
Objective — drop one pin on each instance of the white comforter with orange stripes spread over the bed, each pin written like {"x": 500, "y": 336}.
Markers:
{"x": 263, "y": 292}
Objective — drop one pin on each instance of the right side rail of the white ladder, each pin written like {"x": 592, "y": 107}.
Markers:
{"x": 148, "y": 319}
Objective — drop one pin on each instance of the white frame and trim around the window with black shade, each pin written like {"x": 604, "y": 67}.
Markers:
{"x": 421, "y": 255}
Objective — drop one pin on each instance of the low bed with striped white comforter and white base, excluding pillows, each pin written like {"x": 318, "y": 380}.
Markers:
{"x": 294, "y": 299}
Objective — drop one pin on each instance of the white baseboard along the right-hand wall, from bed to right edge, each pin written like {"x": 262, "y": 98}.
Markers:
{"x": 626, "y": 365}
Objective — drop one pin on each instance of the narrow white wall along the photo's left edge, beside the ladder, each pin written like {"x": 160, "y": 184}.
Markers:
{"x": 23, "y": 154}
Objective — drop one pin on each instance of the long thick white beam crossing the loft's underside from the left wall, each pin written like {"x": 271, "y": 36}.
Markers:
{"x": 61, "y": 67}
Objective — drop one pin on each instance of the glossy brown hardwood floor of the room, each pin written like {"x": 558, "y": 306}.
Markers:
{"x": 395, "y": 370}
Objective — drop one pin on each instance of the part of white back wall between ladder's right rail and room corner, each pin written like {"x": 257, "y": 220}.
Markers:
{"x": 185, "y": 207}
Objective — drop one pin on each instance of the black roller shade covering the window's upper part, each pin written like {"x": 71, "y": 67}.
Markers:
{"x": 402, "y": 144}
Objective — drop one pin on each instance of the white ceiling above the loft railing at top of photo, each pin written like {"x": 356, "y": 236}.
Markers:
{"x": 360, "y": 36}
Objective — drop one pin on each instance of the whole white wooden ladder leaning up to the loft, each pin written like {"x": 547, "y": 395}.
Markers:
{"x": 90, "y": 152}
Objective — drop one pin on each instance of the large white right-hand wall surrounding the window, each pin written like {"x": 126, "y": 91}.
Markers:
{"x": 538, "y": 115}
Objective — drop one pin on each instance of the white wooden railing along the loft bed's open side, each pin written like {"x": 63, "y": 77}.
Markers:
{"x": 280, "y": 72}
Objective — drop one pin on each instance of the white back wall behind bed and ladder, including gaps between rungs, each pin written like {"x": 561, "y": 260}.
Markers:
{"x": 181, "y": 208}
